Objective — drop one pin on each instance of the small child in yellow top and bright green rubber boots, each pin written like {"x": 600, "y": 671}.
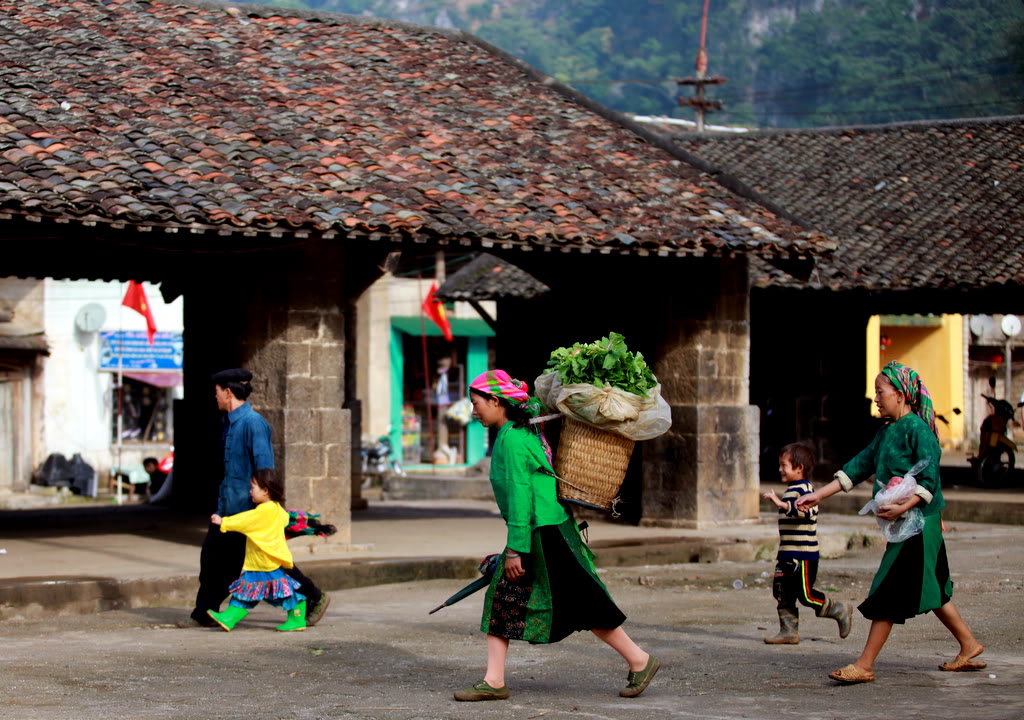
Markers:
{"x": 267, "y": 556}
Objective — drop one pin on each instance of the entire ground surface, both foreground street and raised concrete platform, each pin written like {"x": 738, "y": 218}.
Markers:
{"x": 378, "y": 654}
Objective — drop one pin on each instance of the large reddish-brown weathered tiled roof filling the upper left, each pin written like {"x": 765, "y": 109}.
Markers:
{"x": 228, "y": 121}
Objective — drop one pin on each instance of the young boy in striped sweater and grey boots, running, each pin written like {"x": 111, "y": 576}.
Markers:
{"x": 797, "y": 564}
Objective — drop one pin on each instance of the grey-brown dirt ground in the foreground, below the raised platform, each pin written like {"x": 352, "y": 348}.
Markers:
{"x": 378, "y": 655}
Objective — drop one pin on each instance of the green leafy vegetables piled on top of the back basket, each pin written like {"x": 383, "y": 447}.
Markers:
{"x": 607, "y": 361}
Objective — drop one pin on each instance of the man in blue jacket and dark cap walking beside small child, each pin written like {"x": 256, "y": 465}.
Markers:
{"x": 247, "y": 450}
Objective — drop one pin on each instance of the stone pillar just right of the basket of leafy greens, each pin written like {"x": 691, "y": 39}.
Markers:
{"x": 705, "y": 471}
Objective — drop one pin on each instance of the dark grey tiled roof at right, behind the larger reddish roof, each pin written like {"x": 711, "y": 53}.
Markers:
{"x": 935, "y": 205}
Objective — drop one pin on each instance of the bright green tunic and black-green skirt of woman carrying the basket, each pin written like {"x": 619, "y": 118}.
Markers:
{"x": 528, "y": 499}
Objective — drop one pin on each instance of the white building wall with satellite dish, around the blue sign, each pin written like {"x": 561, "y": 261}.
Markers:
{"x": 78, "y": 410}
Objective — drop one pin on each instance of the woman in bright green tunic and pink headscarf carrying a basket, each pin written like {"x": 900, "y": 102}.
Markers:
{"x": 545, "y": 586}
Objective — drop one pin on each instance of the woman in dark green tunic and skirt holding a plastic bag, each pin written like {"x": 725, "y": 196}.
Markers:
{"x": 914, "y": 577}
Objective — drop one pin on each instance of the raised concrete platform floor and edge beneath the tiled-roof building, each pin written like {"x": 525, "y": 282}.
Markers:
{"x": 106, "y": 558}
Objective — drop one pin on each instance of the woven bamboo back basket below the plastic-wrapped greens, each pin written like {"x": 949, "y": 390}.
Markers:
{"x": 591, "y": 465}
